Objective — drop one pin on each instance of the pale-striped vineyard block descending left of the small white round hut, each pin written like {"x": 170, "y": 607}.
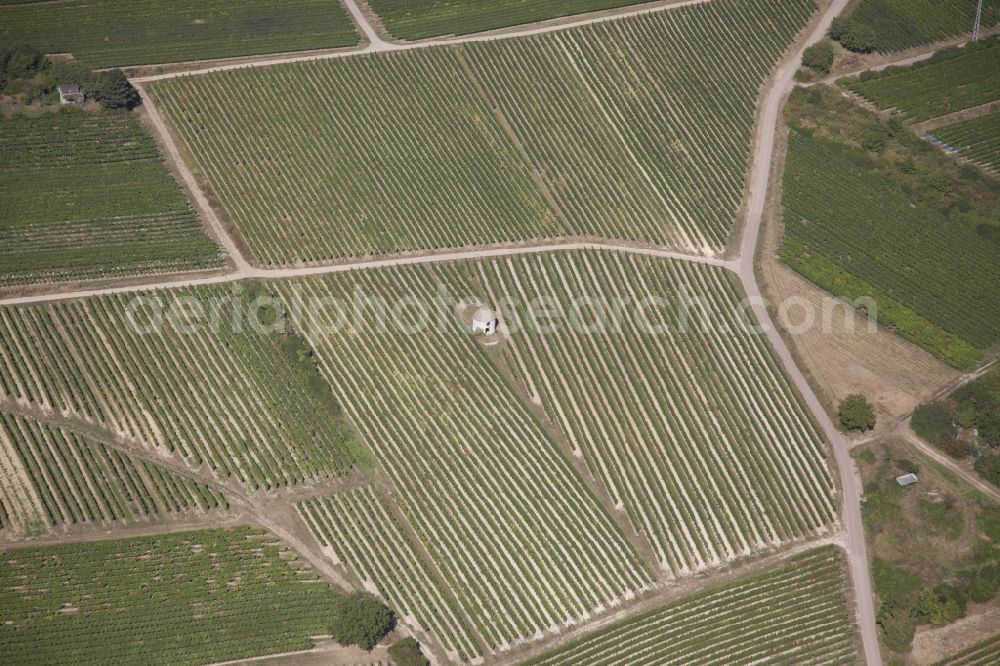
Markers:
{"x": 516, "y": 535}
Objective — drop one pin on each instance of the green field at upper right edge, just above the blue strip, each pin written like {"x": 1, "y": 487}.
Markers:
{"x": 953, "y": 80}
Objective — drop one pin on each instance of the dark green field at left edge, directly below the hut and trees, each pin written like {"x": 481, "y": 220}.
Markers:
{"x": 86, "y": 196}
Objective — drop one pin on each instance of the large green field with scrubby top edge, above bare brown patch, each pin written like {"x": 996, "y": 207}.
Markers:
{"x": 885, "y": 224}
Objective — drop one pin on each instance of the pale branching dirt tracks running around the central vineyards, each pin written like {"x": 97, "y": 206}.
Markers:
{"x": 743, "y": 265}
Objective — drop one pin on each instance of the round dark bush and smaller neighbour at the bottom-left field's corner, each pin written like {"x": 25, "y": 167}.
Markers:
{"x": 361, "y": 619}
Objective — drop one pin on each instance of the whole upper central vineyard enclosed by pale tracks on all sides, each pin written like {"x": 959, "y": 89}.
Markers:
{"x": 519, "y": 139}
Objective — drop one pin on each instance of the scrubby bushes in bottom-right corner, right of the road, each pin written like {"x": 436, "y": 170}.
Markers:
{"x": 905, "y": 602}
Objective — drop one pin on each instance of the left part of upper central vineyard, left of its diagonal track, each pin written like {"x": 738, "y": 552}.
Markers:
{"x": 404, "y": 156}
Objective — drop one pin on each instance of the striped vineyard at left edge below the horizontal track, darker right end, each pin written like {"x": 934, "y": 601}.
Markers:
{"x": 231, "y": 399}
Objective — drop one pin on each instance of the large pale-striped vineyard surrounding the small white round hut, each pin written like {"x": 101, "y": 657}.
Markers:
{"x": 487, "y": 471}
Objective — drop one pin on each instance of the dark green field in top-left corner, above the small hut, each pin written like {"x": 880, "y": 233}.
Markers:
{"x": 108, "y": 33}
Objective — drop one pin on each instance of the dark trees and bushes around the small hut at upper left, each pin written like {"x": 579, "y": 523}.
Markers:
{"x": 27, "y": 73}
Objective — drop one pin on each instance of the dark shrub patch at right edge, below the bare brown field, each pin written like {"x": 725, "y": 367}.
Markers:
{"x": 966, "y": 424}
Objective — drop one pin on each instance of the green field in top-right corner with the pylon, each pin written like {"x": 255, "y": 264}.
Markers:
{"x": 902, "y": 24}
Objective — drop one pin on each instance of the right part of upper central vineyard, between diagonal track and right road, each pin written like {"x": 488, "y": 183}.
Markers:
{"x": 641, "y": 128}
